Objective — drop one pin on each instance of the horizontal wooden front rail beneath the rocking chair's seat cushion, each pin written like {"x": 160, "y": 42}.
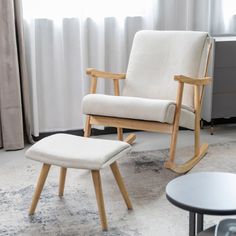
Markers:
{"x": 131, "y": 124}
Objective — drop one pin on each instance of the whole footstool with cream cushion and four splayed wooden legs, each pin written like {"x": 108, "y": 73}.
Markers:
{"x": 70, "y": 151}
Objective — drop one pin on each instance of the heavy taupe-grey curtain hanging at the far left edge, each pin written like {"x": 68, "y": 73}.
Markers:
{"x": 14, "y": 92}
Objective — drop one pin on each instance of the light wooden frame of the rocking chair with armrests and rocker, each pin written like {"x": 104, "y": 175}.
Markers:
{"x": 199, "y": 85}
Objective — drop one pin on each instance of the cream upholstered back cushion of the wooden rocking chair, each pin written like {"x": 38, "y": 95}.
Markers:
{"x": 157, "y": 56}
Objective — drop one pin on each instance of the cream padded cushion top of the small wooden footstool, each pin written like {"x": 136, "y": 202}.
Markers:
{"x": 77, "y": 152}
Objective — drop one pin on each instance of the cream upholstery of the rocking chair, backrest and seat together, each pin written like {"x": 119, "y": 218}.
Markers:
{"x": 149, "y": 90}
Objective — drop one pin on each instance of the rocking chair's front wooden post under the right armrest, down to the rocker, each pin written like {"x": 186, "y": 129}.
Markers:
{"x": 176, "y": 122}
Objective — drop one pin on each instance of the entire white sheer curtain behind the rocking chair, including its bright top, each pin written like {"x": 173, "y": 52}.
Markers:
{"x": 64, "y": 37}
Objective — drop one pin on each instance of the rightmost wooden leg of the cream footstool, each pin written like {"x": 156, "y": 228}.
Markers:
{"x": 120, "y": 183}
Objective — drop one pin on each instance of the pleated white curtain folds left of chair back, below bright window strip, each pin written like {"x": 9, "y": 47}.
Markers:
{"x": 58, "y": 54}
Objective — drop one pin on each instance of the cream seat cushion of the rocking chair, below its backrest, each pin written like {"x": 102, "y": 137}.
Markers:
{"x": 137, "y": 108}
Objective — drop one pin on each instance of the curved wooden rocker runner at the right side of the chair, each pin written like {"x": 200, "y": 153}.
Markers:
{"x": 183, "y": 168}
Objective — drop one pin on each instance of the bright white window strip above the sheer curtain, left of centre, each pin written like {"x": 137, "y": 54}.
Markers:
{"x": 88, "y": 8}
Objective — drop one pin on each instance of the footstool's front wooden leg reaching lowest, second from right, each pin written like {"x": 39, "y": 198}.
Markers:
{"x": 98, "y": 190}
